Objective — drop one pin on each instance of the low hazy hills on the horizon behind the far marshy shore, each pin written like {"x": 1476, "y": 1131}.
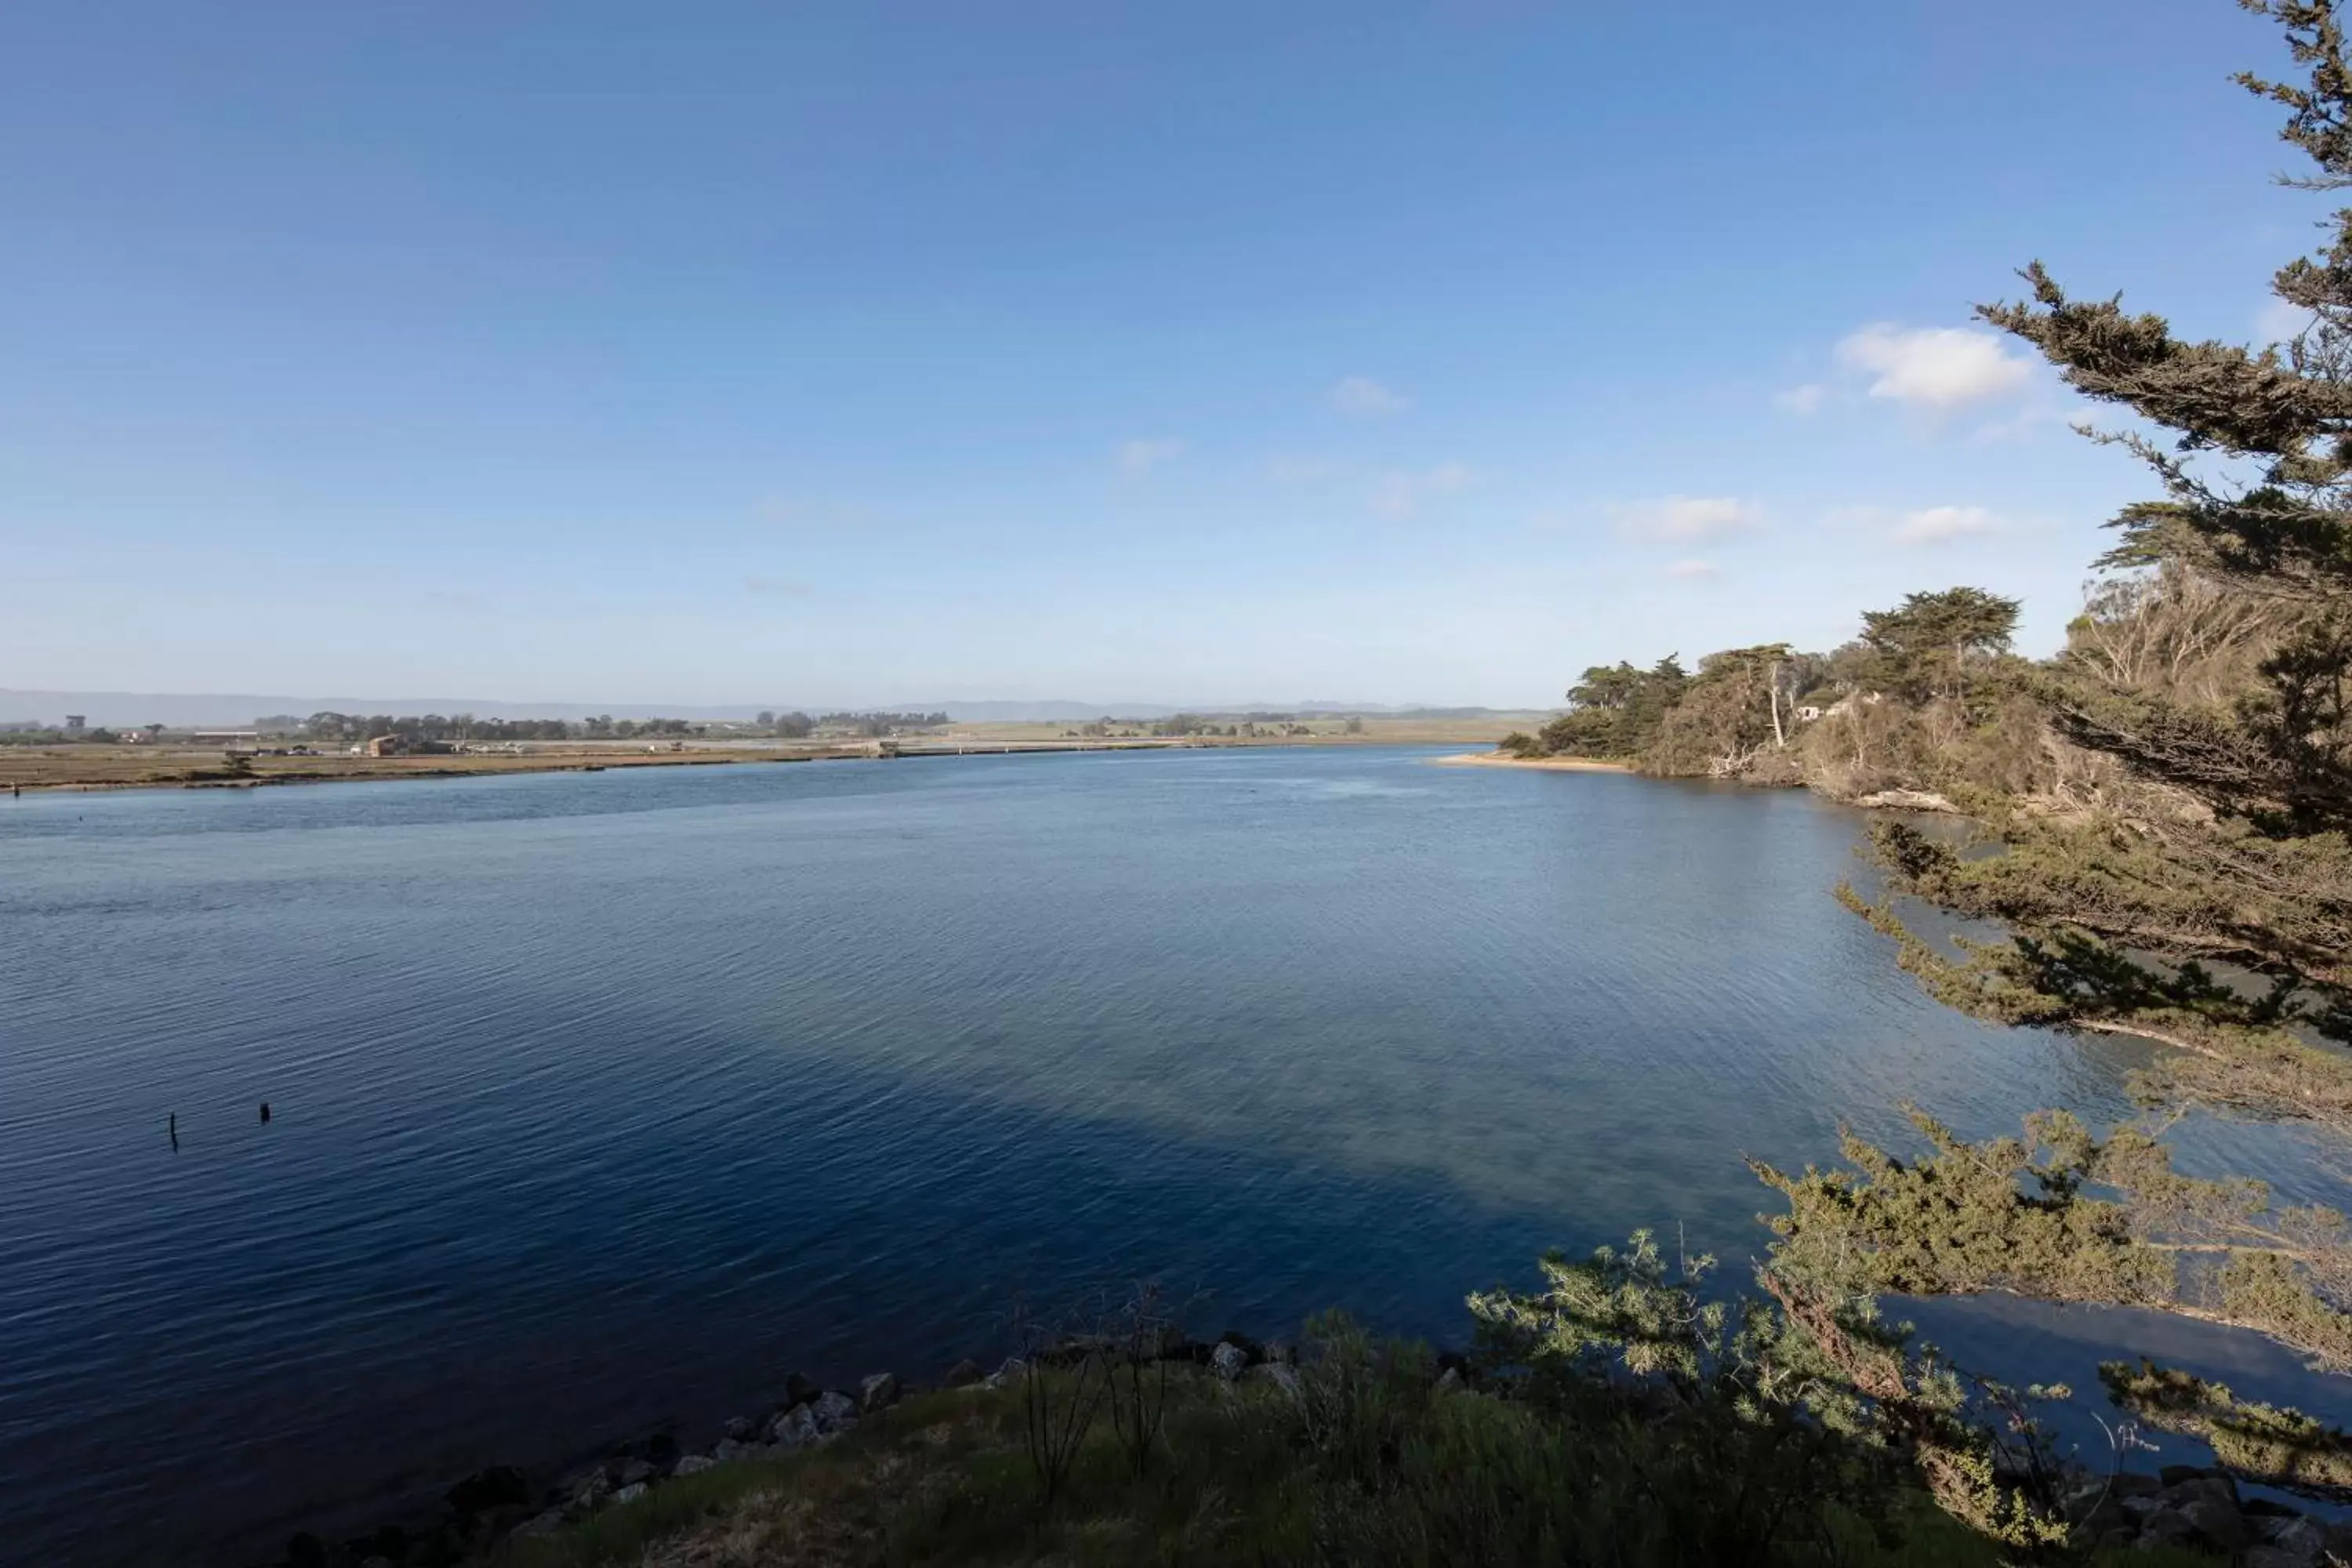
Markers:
{"x": 182, "y": 709}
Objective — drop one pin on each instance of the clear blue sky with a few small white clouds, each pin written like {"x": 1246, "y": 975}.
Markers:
{"x": 862, "y": 354}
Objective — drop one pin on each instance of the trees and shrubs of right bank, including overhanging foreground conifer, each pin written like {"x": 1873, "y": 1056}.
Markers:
{"x": 2160, "y": 819}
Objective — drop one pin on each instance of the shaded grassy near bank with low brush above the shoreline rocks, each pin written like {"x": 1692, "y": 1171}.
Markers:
{"x": 1401, "y": 1475}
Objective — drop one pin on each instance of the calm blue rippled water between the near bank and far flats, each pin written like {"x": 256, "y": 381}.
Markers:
{"x": 610, "y": 1099}
